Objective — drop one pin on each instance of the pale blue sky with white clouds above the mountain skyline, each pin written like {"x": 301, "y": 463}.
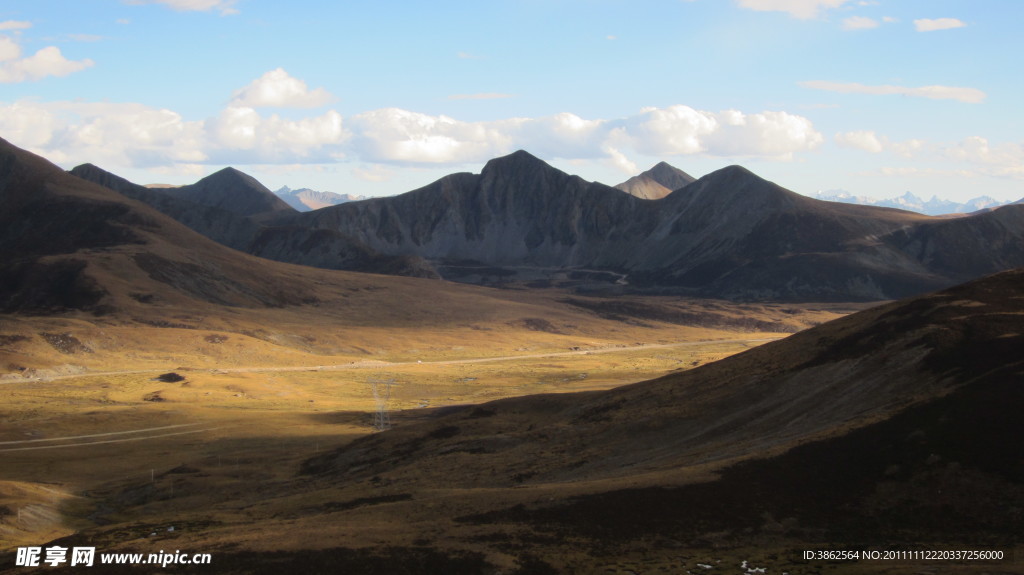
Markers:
{"x": 875, "y": 98}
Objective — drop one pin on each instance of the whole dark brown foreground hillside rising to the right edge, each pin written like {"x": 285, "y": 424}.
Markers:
{"x": 899, "y": 426}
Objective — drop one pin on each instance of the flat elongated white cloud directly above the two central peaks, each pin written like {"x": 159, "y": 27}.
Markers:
{"x": 400, "y": 137}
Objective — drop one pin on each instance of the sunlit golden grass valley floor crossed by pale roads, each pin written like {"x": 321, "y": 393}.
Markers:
{"x": 83, "y": 414}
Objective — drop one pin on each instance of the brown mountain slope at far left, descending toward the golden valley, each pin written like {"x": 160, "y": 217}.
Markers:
{"x": 70, "y": 245}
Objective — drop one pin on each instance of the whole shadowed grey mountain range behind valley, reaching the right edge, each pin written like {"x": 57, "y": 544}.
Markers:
{"x": 729, "y": 235}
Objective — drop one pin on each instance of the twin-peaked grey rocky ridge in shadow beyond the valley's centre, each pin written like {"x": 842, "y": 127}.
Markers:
{"x": 721, "y": 236}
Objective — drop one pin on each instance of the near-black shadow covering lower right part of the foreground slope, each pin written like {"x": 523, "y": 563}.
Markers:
{"x": 951, "y": 471}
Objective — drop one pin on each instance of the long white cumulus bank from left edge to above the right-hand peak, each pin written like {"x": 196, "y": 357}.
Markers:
{"x": 138, "y": 137}
